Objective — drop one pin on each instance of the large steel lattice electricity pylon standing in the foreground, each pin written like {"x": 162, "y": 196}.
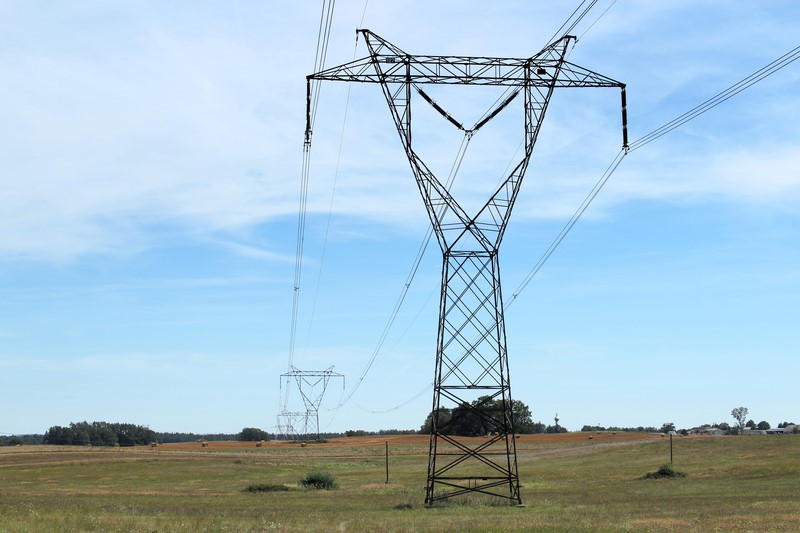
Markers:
{"x": 472, "y": 373}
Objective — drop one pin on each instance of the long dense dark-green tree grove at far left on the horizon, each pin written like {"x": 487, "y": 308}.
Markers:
{"x": 100, "y": 434}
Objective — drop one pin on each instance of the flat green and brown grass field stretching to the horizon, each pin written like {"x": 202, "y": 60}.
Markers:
{"x": 570, "y": 483}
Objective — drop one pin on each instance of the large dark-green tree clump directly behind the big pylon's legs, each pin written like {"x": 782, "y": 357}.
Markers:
{"x": 480, "y": 418}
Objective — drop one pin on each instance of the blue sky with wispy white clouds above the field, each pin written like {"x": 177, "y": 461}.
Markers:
{"x": 151, "y": 157}
